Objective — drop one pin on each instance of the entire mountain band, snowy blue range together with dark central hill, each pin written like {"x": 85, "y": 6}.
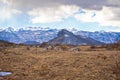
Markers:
{"x": 34, "y": 35}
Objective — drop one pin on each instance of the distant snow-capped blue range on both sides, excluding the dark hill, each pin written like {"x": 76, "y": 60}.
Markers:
{"x": 39, "y": 35}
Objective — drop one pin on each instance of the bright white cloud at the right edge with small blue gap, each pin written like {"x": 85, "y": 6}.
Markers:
{"x": 108, "y": 16}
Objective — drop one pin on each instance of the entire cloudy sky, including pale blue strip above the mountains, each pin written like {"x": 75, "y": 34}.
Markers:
{"x": 86, "y": 15}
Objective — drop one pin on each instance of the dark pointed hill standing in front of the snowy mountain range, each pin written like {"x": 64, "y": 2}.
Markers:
{"x": 68, "y": 38}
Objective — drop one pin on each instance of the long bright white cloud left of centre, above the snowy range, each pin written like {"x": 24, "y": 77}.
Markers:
{"x": 52, "y": 14}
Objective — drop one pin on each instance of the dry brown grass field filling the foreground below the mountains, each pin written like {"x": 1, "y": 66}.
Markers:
{"x": 31, "y": 63}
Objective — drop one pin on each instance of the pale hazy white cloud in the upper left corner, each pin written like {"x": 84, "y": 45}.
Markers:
{"x": 6, "y": 11}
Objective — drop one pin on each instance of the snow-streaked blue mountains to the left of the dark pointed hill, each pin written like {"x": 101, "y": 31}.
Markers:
{"x": 24, "y": 35}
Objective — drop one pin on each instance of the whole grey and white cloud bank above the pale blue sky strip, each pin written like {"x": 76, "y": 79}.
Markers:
{"x": 103, "y": 12}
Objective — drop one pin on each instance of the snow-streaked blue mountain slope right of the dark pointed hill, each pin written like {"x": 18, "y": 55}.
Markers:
{"x": 106, "y": 37}
